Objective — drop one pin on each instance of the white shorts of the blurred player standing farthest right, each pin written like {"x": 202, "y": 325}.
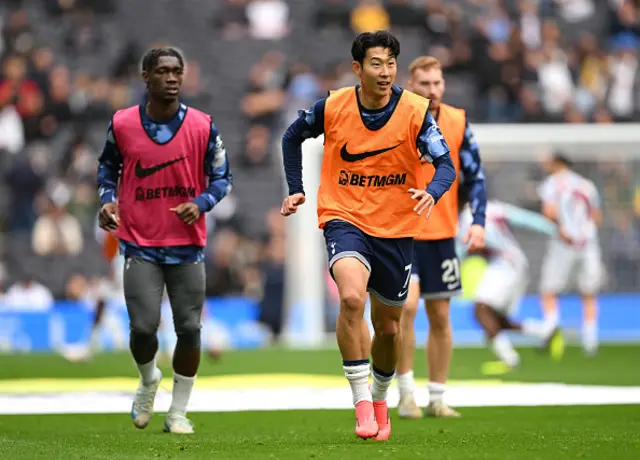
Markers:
{"x": 562, "y": 260}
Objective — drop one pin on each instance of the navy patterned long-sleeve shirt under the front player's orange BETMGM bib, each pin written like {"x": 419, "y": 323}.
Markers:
{"x": 310, "y": 124}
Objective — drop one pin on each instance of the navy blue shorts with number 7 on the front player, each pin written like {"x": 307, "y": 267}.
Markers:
{"x": 388, "y": 259}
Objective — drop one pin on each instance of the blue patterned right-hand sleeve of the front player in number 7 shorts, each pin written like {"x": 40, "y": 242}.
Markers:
{"x": 434, "y": 149}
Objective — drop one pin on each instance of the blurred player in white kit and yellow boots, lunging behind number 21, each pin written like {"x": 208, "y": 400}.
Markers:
{"x": 505, "y": 280}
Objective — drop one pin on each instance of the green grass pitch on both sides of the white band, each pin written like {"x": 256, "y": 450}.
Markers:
{"x": 560, "y": 432}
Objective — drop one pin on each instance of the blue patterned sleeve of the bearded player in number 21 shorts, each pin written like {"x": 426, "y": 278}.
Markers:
{"x": 473, "y": 176}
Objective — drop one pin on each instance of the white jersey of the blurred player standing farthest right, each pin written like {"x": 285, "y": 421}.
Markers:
{"x": 575, "y": 199}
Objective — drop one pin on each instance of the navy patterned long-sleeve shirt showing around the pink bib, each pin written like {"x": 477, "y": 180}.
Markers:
{"x": 216, "y": 167}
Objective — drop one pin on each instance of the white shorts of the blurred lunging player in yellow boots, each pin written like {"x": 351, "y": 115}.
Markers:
{"x": 502, "y": 287}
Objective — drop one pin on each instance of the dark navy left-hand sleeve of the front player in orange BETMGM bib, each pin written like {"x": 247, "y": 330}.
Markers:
{"x": 310, "y": 123}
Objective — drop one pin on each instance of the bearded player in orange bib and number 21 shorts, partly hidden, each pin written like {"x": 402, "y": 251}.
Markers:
{"x": 435, "y": 265}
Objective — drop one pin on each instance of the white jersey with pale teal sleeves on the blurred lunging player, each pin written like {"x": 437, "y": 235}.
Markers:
{"x": 499, "y": 239}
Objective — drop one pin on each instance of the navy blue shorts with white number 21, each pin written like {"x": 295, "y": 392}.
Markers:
{"x": 436, "y": 266}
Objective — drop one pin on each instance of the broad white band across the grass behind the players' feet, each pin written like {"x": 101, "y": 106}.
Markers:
{"x": 544, "y": 394}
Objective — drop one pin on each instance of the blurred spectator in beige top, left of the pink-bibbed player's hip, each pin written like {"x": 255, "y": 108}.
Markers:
{"x": 57, "y": 231}
